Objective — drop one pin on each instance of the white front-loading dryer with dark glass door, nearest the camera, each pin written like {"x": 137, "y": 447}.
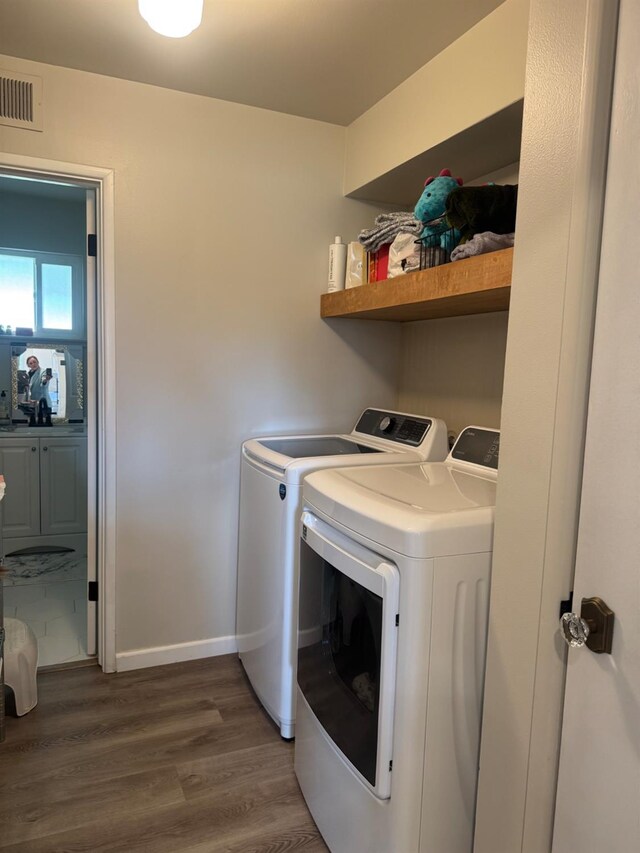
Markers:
{"x": 394, "y": 588}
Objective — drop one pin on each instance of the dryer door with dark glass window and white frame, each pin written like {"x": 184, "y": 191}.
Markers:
{"x": 347, "y": 641}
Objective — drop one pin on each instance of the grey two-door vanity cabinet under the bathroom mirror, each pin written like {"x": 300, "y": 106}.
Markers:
{"x": 46, "y": 486}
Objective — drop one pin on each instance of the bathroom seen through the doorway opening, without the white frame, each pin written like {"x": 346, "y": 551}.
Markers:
{"x": 45, "y": 288}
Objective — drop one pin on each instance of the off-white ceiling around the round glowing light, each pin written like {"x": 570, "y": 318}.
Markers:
{"x": 324, "y": 59}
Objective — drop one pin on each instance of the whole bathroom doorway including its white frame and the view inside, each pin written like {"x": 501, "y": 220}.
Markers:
{"x": 58, "y": 533}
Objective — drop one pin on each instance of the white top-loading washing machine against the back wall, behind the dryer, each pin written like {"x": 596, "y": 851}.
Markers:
{"x": 270, "y": 505}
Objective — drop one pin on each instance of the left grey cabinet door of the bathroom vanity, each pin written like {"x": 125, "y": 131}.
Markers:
{"x": 21, "y": 504}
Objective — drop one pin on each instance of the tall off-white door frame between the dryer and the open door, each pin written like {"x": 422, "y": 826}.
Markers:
{"x": 544, "y": 408}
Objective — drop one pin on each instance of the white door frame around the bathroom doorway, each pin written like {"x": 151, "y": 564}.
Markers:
{"x": 102, "y": 397}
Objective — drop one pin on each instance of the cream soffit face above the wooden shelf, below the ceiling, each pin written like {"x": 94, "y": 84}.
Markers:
{"x": 477, "y": 77}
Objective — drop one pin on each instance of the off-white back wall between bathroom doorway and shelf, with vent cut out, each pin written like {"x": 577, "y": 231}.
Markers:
{"x": 223, "y": 216}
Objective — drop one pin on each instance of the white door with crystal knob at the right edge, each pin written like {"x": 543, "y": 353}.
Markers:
{"x": 598, "y": 799}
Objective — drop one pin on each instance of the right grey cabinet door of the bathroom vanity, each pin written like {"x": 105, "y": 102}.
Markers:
{"x": 63, "y": 485}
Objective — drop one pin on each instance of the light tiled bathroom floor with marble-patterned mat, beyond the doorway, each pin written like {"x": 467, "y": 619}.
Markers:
{"x": 49, "y": 593}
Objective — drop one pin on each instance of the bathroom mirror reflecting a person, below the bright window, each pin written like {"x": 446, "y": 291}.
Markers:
{"x": 48, "y": 391}
